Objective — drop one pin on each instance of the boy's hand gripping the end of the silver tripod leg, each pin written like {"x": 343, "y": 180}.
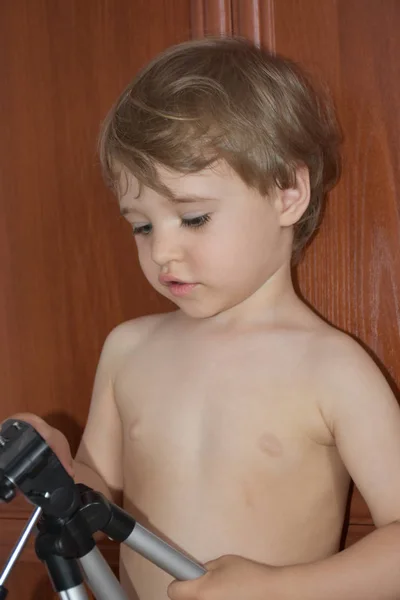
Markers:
{"x": 230, "y": 577}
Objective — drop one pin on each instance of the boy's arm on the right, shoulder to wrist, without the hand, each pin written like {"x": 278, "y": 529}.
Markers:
{"x": 364, "y": 418}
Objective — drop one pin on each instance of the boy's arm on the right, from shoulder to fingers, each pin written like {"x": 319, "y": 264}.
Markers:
{"x": 364, "y": 418}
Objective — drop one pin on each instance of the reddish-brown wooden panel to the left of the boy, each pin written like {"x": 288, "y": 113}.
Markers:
{"x": 68, "y": 266}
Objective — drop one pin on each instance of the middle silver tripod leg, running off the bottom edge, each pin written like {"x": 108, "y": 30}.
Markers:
{"x": 100, "y": 578}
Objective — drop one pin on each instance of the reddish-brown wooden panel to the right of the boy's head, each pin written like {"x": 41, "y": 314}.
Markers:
{"x": 351, "y": 273}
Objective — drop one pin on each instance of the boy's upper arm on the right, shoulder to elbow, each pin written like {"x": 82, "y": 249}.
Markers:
{"x": 363, "y": 416}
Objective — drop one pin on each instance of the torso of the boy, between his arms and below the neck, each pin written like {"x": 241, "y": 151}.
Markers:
{"x": 225, "y": 449}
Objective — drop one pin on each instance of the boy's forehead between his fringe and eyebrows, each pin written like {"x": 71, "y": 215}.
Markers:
{"x": 214, "y": 182}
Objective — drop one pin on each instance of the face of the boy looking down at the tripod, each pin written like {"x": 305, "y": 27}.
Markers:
{"x": 211, "y": 248}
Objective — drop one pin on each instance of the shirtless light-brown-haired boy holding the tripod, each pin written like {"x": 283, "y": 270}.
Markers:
{"x": 233, "y": 425}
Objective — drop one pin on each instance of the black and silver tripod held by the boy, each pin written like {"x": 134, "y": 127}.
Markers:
{"x": 67, "y": 515}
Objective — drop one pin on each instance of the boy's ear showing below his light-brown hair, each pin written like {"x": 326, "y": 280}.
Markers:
{"x": 292, "y": 203}
